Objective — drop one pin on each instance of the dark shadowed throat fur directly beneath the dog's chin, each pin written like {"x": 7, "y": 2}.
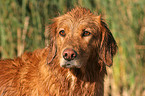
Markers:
{"x": 89, "y": 73}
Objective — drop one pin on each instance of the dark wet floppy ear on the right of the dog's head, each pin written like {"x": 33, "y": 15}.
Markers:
{"x": 108, "y": 45}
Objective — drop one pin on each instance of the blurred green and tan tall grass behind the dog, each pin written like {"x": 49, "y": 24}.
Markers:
{"x": 22, "y": 27}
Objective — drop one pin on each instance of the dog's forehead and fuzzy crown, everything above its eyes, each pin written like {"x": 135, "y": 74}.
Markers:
{"x": 78, "y": 19}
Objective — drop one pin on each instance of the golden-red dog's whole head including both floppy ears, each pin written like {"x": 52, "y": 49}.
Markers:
{"x": 80, "y": 36}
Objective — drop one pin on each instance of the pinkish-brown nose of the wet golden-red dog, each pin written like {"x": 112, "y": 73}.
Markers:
{"x": 69, "y": 54}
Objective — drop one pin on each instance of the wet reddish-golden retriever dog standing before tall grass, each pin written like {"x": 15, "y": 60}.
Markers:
{"x": 74, "y": 63}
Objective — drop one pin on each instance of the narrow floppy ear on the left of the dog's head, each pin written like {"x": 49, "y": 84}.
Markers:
{"x": 52, "y": 44}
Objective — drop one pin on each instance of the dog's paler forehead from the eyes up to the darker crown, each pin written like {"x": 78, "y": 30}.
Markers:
{"x": 77, "y": 25}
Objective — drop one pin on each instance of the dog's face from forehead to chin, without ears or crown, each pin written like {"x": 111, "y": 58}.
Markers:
{"x": 74, "y": 41}
